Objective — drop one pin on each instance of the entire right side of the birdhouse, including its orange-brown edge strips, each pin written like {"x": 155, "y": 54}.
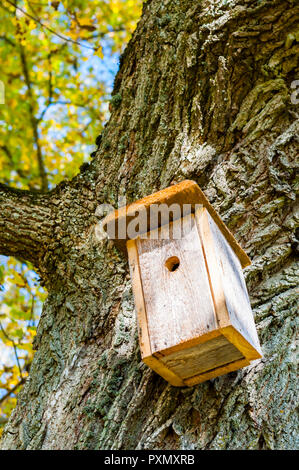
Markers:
{"x": 228, "y": 288}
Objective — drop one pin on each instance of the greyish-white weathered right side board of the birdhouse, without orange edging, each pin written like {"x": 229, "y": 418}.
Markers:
{"x": 234, "y": 287}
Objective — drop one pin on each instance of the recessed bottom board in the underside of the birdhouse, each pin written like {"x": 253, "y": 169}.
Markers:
{"x": 203, "y": 357}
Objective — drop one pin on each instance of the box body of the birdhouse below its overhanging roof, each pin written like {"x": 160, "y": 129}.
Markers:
{"x": 181, "y": 302}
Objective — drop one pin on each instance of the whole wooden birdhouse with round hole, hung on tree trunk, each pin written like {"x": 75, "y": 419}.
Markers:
{"x": 193, "y": 310}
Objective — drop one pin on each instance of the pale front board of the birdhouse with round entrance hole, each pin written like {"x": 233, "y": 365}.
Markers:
{"x": 179, "y": 304}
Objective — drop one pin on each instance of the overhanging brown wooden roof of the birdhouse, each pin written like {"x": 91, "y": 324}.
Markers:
{"x": 186, "y": 192}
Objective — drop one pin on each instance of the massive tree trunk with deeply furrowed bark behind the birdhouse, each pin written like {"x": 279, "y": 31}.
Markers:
{"x": 203, "y": 92}
